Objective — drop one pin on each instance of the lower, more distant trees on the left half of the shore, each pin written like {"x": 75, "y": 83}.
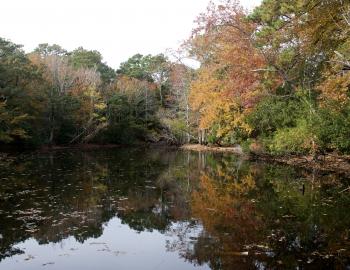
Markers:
{"x": 52, "y": 97}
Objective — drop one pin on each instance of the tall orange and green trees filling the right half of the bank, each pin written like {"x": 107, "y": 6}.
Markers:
{"x": 284, "y": 53}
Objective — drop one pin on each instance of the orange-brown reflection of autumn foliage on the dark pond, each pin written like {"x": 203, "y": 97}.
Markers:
{"x": 225, "y": 202}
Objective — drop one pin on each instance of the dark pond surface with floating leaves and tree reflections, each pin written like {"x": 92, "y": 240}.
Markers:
{"x": 165, "y": 209}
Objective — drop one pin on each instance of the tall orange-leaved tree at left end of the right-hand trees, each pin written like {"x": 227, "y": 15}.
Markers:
{"x": 228, "y": 81}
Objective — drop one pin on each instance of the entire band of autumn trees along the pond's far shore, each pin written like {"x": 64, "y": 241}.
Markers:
{"x": 275, "y": 79}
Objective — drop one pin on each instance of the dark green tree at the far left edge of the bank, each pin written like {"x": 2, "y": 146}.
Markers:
{"x": 20, "y": 102}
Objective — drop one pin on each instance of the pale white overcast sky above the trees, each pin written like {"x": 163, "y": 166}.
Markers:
{"x": 118, "y": 29}
